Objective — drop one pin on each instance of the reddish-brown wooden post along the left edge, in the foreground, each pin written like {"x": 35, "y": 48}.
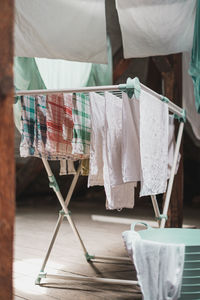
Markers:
{"x": 7, "y": 169}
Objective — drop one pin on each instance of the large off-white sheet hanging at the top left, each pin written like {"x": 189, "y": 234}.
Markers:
{"x": 72, "y": 30}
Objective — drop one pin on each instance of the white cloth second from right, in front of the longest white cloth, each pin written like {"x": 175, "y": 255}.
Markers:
{"x": 130, "y": 155}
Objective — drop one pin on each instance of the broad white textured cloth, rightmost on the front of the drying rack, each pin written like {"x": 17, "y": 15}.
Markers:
{"x": 154, "y": 127}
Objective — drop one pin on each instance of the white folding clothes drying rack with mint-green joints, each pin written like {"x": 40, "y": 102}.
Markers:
{"x": 161, "y": 218}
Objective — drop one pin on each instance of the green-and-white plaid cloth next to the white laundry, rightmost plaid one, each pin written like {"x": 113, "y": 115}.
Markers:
{"x": 82, "y": 124}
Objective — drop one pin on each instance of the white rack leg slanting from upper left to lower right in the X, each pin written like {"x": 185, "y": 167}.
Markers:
{"x": 62, "y": 202}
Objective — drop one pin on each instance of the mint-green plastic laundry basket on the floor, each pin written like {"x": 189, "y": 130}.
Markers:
{"x": 190, "y": 289}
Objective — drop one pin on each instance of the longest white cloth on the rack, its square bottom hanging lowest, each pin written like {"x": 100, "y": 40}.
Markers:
{"x": 119, "y": 194}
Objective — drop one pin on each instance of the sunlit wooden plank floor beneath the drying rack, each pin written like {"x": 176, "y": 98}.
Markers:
{"x": 33, "y": 231}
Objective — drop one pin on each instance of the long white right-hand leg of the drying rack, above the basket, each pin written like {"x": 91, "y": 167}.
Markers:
{"x": 171, "y": 180}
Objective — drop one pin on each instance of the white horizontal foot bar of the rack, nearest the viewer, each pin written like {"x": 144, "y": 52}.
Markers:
{"x": 93, "y": 279}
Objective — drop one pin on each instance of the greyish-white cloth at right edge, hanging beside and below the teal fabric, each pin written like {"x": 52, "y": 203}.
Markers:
{"x": 188, "y": 97}
